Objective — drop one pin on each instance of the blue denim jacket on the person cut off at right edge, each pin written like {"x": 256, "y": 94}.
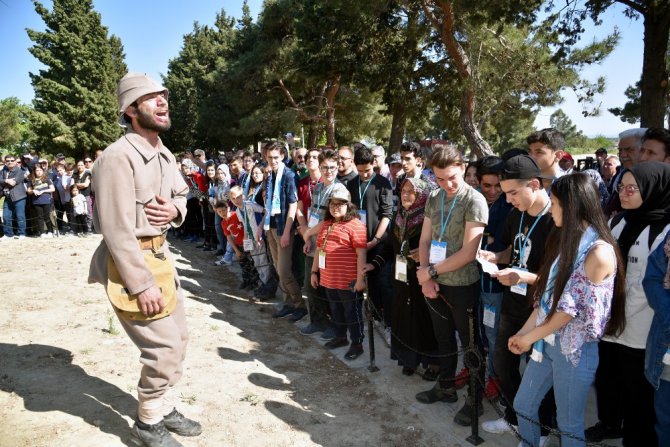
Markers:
{"x": 658, "y": 340}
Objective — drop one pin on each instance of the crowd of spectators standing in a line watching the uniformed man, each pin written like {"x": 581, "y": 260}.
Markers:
{"x": 564, "y": 269}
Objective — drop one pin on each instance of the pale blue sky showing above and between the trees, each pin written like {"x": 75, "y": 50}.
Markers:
{"x": 152, "y": 33}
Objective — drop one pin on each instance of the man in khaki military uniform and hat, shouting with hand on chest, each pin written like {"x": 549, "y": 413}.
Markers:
{"x": 139, "y": 195}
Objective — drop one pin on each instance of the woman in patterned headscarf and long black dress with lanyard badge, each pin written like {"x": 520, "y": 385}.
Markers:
{"x": 412, "y": 338}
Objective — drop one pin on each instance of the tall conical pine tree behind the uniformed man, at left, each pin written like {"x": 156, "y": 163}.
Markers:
{"x": 75, "y": 95}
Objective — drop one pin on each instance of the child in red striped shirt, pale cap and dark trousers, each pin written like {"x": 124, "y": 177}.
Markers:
{"x": 338, "y": 267}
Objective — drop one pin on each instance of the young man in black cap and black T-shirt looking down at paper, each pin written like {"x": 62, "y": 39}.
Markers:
{"x": 525, "y": 233}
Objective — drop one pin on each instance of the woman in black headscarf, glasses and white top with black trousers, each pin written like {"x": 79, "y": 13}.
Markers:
{"x": 624, "y": 397}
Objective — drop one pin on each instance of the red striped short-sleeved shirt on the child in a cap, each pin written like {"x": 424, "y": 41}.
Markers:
{"x": 340, "y": 248}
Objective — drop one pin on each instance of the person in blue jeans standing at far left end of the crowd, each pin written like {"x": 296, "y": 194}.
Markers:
{"x": 12, "y": 179}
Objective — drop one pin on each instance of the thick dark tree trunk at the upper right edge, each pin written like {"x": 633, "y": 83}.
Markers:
{"x": 654, "y": 82}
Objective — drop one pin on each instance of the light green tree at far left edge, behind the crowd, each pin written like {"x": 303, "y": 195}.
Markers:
{"x": 15, "y": 131}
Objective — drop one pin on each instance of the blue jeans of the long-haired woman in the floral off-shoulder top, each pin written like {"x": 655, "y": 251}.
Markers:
{"x": 571, "y": 388}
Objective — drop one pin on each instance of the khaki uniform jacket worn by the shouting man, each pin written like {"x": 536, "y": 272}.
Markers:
{"x": 130, "y": 174}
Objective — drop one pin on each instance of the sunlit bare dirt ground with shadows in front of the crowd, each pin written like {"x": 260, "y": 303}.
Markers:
{"x": 68, "y": 372}
